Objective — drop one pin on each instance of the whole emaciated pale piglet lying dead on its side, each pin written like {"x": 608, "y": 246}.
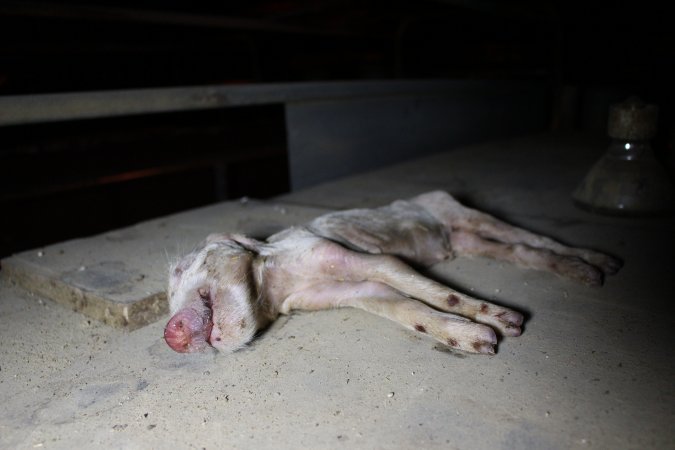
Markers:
{"x": 232, "y": 286}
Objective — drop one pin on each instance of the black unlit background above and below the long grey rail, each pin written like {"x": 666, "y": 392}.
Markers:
{"x": 63, "y": 180}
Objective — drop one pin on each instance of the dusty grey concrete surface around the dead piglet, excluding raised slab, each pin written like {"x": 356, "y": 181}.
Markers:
{"x": 592, "y": 369}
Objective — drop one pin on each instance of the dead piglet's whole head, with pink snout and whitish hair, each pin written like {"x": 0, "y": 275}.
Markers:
{"x": 212, "y": 296}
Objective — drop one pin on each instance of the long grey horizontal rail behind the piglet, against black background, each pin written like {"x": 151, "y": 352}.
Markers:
{"x": 27, "y": 109}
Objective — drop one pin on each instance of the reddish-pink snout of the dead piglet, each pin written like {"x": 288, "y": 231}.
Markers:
{"x": 189, "y": 331}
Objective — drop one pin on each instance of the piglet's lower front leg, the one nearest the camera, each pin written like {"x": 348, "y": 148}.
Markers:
{"x": 385, "y": 301}
